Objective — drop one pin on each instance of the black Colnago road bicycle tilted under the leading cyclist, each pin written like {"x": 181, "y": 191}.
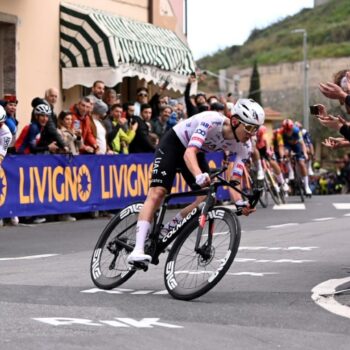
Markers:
{"x": 202, "y": 247}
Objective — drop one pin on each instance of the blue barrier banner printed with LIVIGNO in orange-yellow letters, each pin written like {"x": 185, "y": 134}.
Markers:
{"x": 57, "y": 184}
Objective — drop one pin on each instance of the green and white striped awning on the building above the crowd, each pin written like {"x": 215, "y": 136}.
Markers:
{"x": 115, "y": 47}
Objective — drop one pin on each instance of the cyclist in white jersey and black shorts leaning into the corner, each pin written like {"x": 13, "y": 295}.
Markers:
{"x": 183, "y": 147}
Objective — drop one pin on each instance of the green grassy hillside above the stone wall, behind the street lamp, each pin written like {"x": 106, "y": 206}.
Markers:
{"x": 328, "y": 29}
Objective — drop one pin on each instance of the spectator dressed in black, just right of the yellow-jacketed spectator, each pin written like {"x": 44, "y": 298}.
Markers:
{"x": 142, "y": 142}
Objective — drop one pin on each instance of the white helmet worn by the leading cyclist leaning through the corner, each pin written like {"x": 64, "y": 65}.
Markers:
{"x": 249, "y": 112}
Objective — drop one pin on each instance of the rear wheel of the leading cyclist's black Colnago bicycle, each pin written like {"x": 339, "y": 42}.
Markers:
{"x": 105, "y": 273}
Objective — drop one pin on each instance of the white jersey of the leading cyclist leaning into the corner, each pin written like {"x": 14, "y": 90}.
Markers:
{"x": 204, "y": 131}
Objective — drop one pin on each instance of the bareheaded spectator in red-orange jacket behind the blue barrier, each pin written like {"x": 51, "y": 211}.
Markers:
{"x": 80, "y": 111}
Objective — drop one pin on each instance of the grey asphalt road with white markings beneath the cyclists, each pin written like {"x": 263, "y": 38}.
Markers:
{"x": 266, "y": 300}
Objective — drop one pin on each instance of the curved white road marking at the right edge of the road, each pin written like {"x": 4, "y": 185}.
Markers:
{"x": 323, "y": 295}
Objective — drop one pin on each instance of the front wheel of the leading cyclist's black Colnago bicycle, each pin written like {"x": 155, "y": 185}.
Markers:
{"x": 177, "y": 278}
